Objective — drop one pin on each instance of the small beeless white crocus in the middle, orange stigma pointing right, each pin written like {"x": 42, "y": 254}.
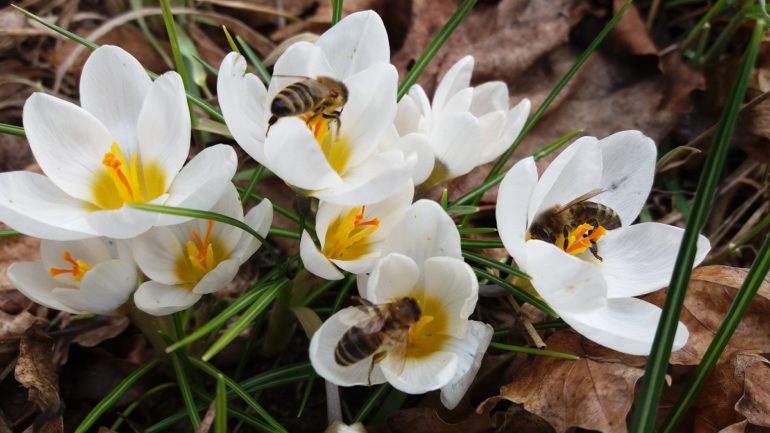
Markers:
{"x": 352, "y": 237}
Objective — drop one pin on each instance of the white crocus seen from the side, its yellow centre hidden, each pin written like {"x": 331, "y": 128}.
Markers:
{"x": 465, "y": 126}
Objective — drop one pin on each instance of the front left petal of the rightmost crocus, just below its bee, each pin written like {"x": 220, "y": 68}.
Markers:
{"x": 567, "y": 284}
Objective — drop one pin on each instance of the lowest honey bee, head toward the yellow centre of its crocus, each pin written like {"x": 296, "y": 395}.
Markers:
{"x": 378, "y": 330}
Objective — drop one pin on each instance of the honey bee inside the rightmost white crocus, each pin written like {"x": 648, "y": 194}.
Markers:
{"x": 561, "y": 220}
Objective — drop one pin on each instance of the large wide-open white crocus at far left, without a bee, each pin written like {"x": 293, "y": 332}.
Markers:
{"x": 126, "y": 144}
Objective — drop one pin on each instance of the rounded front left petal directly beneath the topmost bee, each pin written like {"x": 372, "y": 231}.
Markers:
{"x": 294, "y": 155}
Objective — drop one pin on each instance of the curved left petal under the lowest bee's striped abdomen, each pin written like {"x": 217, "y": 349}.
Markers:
{"x": 322, "y": 347}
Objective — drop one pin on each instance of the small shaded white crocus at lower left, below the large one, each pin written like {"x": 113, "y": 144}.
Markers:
{"x": 87, "y": 276}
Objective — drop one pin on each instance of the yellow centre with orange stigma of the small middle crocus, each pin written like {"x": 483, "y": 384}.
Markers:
{"x": 347, "y": 238}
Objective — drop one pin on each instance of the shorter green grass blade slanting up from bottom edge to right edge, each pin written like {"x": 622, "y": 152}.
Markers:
{"x": 738, "y": 308}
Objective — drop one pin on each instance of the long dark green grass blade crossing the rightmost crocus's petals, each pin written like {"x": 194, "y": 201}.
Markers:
{"x": 646, "y": 404}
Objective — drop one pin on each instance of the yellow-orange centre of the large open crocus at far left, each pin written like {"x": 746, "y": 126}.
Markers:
{"x": 124, "y": 180}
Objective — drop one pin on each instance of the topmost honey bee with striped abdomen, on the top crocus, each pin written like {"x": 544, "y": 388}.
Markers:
{"x": 320, "y": 96}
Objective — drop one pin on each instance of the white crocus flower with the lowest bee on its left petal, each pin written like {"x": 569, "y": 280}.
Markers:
{"x": 443, "y": 348}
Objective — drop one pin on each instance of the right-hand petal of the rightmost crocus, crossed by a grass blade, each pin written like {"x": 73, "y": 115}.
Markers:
{"x": 639, "y": 259}
